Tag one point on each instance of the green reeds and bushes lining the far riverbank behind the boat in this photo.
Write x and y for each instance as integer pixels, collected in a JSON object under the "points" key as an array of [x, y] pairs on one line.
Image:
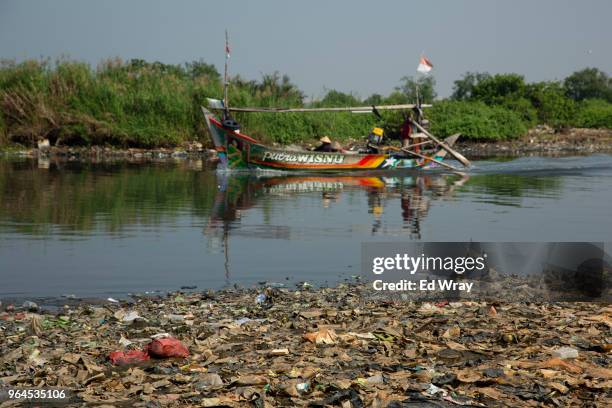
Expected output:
{"points": [[138, 103]]}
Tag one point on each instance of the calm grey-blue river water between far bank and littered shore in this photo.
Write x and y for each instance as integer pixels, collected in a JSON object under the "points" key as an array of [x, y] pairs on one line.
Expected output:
{"points": [[106, 230]]}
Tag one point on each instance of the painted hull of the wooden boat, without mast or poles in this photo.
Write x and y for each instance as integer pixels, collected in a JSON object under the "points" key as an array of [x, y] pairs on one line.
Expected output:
{"points": [[239, 151]]}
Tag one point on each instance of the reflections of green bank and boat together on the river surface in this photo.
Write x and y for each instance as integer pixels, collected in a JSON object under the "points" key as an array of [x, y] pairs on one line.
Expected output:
{"points": [[76, 199]]}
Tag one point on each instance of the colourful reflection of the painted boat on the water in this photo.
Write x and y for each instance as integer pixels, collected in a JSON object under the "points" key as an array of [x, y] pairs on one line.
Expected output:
{"points": [[239, 193]]}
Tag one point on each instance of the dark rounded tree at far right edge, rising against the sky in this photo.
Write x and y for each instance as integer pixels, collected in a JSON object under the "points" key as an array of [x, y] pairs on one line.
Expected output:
{"points": [[590, 83]]}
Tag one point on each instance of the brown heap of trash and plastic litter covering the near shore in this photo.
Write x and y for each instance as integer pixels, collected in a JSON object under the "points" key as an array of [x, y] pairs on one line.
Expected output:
{"points": [[329, 347]]}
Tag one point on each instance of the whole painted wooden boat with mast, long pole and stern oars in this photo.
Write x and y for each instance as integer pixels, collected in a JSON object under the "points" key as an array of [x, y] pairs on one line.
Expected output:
{"points": [[239, 151]]}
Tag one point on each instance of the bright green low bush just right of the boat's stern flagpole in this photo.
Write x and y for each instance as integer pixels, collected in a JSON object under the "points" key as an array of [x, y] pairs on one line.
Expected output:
{"points": [[475, 120]]}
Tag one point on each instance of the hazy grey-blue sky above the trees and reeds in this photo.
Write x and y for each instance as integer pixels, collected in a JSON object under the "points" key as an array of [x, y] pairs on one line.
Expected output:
{"points": [[360, 46]]}
